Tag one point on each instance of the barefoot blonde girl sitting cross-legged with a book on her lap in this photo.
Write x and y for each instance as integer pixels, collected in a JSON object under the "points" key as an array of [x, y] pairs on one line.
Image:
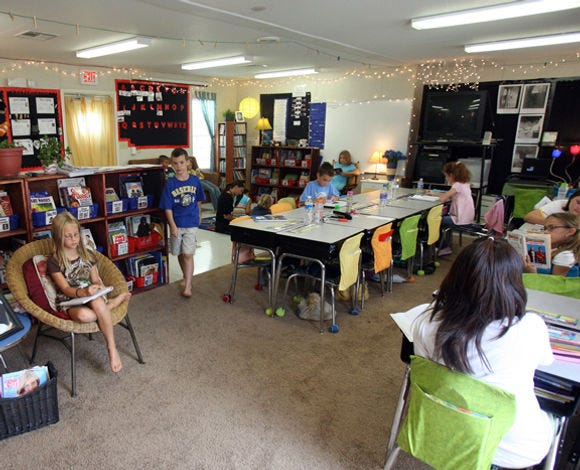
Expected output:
{"points": [[73, 269]]}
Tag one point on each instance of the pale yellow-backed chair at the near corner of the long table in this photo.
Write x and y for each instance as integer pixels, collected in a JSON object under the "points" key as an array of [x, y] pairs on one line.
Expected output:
{"points": [[349, 259]]}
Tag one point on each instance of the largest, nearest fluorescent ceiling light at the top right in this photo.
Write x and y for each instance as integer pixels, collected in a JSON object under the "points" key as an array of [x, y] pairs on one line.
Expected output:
{"points": [[493, 13]]}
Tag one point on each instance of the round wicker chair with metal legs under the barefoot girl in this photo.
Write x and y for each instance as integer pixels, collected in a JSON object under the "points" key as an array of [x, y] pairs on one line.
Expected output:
{"points": [[17, 284]]}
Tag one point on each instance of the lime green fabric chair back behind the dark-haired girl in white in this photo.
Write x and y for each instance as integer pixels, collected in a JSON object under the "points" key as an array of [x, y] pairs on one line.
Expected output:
{"points": [[454, 421]]}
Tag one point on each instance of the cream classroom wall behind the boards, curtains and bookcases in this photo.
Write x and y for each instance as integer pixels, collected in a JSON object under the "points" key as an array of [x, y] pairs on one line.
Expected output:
{"points": [[343, 93]]}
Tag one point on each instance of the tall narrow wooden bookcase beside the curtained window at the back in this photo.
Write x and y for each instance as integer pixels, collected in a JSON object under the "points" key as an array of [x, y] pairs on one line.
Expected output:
{"points": [[231, 151]]}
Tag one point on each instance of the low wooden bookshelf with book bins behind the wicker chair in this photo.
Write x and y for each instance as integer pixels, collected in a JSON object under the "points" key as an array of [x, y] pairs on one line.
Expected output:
{"points": [[97, 218]]}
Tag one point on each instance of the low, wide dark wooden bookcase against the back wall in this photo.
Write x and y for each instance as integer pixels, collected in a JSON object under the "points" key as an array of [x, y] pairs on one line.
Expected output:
{"points": [[283, 171]]}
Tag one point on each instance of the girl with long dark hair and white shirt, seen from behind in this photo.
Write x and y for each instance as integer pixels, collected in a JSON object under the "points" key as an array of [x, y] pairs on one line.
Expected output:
{"points": [[478, 325]]}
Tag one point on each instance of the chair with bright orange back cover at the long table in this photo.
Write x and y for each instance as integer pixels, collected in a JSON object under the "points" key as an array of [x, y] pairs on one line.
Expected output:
{"points": [[379, 260]]}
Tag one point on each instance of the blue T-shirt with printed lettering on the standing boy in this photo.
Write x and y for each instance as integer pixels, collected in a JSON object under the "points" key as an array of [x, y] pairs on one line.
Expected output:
{"points": [[182, 197]]}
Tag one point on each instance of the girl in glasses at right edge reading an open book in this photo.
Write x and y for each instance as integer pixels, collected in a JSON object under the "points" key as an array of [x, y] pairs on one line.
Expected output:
{"points": [[563, 228]]}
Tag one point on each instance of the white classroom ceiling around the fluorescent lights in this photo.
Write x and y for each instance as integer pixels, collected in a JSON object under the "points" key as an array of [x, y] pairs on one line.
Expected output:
{"points": [[332, 35]]}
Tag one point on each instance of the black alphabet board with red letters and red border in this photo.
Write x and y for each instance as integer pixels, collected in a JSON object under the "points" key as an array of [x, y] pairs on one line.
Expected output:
{"points": [[152, 114]]}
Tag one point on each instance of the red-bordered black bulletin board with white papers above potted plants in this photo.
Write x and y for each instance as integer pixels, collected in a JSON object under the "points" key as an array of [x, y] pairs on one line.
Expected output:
{"points": [[30, 114]]}
